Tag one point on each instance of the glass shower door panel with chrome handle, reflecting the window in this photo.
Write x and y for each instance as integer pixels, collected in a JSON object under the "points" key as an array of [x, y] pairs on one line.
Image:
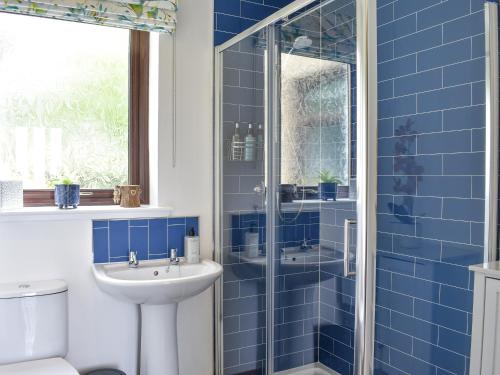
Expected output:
{"points": [[316, 238]]}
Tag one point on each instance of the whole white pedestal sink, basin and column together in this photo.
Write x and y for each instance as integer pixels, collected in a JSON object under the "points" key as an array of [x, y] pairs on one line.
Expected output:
{"points": [[157, 287]]}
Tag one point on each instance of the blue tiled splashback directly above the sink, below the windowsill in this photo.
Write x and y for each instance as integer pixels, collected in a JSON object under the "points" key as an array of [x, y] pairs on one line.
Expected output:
{"points": [[151, 238]]}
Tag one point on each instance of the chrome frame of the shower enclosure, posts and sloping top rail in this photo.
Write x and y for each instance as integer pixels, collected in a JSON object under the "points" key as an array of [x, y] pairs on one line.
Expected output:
{"points": [[366, 71]]}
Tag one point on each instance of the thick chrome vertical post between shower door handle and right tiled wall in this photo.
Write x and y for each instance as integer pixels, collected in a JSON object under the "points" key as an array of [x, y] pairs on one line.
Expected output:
{"points": [[366, 70]]}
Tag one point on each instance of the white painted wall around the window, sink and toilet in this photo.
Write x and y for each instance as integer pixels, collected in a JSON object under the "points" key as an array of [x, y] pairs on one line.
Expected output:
{"points": [[103, 332]]}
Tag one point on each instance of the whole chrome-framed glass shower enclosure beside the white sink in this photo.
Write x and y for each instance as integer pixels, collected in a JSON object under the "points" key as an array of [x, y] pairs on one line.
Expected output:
{"points": [[295, 192]]}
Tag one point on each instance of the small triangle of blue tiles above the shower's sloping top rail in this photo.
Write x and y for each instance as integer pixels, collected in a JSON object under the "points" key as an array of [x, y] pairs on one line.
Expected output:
{"points": [[234, 16]]}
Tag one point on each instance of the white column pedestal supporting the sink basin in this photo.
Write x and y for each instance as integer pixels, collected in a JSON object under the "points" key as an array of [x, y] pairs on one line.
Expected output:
{"points": [[159, 340]]}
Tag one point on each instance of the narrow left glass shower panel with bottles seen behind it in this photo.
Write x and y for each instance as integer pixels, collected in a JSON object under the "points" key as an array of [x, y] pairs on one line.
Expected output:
{"points": [[243, 207]]}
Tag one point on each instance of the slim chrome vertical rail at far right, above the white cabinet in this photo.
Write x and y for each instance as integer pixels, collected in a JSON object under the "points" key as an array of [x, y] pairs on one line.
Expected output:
{"points": [[491, 144]]}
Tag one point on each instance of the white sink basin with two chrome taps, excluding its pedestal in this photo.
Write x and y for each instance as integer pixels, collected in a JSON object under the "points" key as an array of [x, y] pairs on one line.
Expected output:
{"points": [[156, 282]]}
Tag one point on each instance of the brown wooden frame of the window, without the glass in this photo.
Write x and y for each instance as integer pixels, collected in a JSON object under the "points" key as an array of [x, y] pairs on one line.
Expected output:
{"points": [[138, 148]]}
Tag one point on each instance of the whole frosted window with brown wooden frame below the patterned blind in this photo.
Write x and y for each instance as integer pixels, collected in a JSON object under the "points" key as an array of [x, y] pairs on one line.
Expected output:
{"points": [[73, 103]]}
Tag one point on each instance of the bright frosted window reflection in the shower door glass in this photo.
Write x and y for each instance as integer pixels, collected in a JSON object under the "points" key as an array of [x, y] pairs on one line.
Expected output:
{"points": [[315, 119]]}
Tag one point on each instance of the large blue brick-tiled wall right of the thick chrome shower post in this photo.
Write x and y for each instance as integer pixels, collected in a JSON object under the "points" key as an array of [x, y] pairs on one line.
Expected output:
{"points": [[430, 184]]}
